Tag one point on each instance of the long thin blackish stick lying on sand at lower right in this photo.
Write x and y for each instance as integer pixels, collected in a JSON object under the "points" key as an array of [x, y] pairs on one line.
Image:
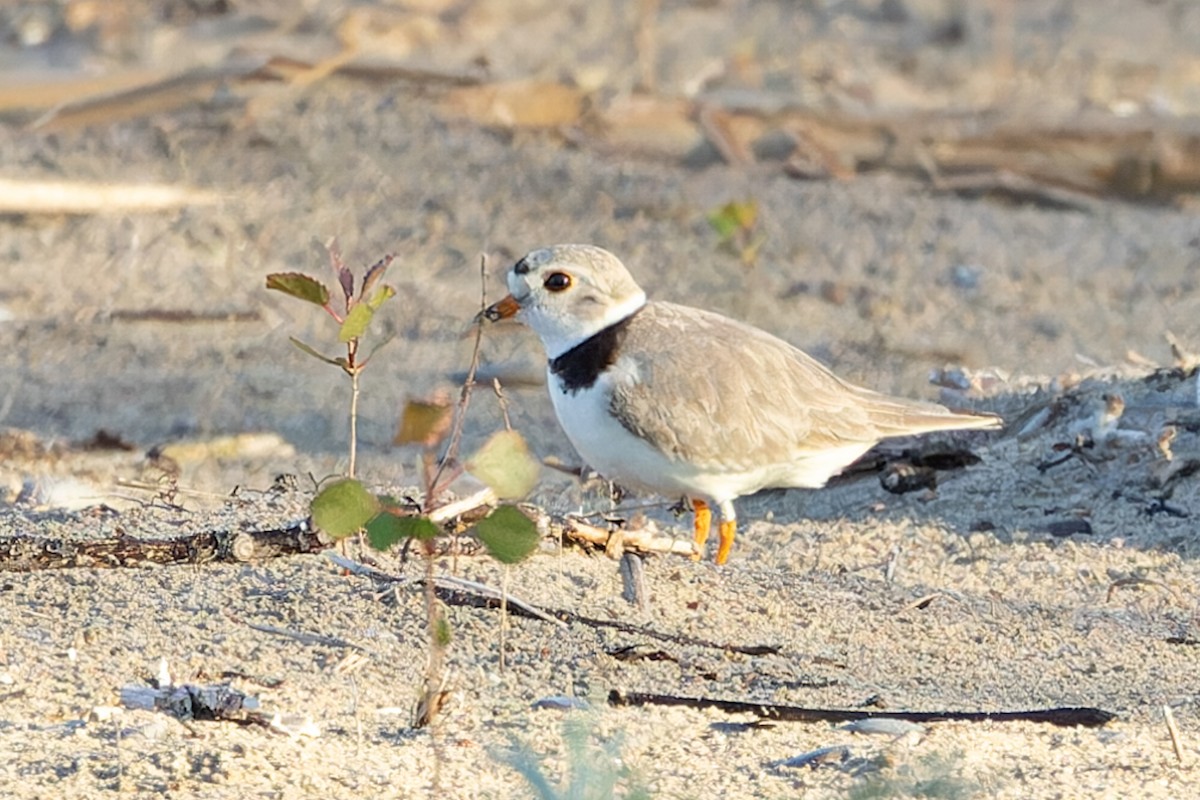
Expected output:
{"points": [[1070, 717]]}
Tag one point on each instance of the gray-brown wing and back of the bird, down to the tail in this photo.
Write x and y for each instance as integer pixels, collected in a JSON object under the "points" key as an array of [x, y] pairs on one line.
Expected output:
{"points": [[716, 392]]}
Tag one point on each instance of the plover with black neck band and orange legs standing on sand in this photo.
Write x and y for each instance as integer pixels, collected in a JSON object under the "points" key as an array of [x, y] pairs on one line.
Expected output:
{"points": [[685, 402]]}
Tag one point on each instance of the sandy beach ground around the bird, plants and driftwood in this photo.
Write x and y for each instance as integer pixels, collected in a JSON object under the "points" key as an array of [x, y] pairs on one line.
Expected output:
{"points": [[879, 276]]}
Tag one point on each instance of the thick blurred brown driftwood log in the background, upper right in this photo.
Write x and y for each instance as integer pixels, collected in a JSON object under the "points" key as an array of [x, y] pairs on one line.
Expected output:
{"points": [[1055, 163]]}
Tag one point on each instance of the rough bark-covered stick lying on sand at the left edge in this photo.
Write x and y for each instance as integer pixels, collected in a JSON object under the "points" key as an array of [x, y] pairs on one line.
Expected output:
{"points": [[27, 554]]}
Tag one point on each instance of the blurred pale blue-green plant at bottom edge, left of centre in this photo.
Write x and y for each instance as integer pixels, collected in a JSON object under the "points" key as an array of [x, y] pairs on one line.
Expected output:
{"points": [[595, 772]]}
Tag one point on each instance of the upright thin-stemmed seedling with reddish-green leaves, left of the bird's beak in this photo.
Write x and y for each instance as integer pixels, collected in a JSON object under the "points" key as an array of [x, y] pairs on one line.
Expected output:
{"points": [[353, 320]]}
